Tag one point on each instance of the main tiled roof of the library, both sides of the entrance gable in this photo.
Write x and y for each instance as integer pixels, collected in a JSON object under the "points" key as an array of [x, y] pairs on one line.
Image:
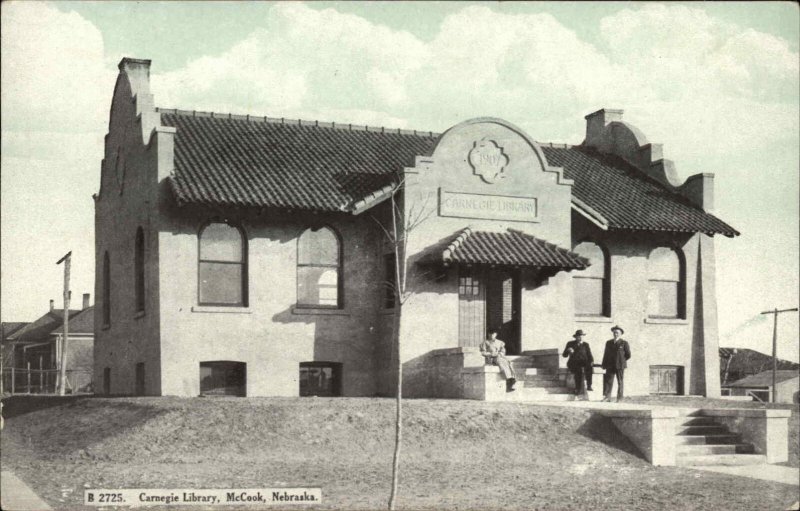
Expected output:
{"points": [[234, 160]]}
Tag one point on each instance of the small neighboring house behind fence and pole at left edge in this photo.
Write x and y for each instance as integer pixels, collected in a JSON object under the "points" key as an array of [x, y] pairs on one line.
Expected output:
{"points": [[37, 347]]}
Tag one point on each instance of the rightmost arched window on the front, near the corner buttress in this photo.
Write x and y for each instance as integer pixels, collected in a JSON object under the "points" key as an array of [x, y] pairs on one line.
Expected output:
{"points": [[666, 288]]}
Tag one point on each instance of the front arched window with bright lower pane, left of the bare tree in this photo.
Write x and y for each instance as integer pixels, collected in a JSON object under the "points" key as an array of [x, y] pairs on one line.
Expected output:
{"points": [[319, 269]]}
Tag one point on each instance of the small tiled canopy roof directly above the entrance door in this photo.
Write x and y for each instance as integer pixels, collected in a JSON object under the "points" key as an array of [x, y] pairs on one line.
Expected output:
{"points": [[511, 248]]}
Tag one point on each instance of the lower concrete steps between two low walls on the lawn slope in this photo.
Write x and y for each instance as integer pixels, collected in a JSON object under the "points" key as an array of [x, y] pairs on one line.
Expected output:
{"points": [[704, 441]]}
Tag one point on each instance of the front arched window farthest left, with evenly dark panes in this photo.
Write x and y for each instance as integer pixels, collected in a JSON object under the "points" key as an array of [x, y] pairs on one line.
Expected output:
{"points": [[222, 266]]}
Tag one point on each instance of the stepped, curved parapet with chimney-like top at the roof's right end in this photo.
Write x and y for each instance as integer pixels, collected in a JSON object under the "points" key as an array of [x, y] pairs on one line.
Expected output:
{"points": [[607, 133]]}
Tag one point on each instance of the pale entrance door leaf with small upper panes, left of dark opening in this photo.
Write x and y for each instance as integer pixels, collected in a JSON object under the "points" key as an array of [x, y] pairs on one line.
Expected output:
{"points": [[471, 307]]}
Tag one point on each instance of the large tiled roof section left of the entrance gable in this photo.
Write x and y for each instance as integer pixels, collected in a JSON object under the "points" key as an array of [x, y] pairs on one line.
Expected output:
{"points": [[241, 161]]}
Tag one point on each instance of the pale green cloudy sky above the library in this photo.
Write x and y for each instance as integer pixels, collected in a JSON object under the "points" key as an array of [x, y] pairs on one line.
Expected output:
{"points": [[716, 83]]}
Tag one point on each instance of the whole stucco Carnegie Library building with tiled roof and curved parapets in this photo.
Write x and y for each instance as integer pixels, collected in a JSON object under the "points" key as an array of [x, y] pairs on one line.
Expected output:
{"points": [[247, 255]]}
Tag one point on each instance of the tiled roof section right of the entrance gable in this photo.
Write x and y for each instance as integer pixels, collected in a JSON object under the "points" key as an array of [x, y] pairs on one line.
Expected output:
{"points": [[627, 198]]}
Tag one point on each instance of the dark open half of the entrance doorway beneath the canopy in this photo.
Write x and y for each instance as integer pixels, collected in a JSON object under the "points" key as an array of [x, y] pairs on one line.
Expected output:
{"points": [[502, 307]]}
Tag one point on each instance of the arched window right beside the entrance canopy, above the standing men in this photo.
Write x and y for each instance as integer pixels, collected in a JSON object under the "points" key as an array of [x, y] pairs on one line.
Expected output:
{"points": [[592, 286]]}
